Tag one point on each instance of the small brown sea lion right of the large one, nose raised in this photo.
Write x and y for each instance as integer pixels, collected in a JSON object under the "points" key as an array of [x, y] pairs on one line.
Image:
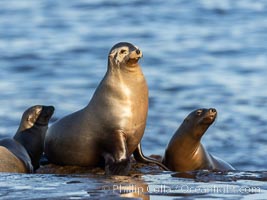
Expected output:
{"points": [[185, 151]]}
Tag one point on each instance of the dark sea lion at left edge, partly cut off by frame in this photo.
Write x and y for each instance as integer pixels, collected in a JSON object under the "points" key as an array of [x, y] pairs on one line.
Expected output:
{"points": [[22, 153]]}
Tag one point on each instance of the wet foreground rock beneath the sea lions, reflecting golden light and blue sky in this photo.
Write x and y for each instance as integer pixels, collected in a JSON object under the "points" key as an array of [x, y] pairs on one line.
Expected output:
{"points": [[143, 182]]}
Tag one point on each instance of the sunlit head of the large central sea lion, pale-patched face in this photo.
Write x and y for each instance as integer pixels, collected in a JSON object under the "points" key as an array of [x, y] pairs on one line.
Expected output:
{"points": [[124, 54]]}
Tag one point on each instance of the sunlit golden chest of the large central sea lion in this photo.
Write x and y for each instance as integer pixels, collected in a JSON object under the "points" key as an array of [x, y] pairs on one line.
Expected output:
{"points": [[121, 104]]}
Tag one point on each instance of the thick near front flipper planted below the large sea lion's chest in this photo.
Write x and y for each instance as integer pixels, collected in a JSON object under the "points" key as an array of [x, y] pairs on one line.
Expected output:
{"points": [[116, 158]]}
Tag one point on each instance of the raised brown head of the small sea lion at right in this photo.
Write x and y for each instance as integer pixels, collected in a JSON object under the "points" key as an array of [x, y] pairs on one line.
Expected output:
{"points": [[199, 121]]}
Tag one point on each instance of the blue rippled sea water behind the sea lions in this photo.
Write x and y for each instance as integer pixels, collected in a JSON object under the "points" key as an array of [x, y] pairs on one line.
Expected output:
{"points": [[204, 53]]}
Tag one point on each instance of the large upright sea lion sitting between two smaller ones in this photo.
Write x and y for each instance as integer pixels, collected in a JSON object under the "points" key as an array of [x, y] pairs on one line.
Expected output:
{"points": [[111, 126]]}
